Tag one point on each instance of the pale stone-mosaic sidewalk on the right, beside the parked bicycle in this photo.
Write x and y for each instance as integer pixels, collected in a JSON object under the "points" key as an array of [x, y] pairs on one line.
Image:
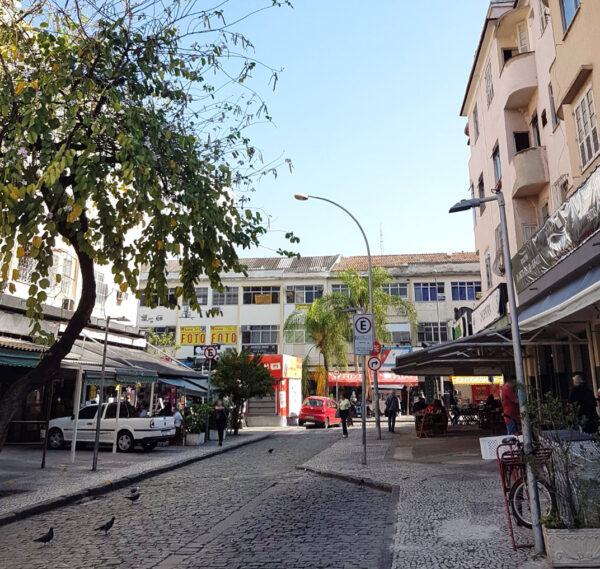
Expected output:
{"points": [[446, 501]]}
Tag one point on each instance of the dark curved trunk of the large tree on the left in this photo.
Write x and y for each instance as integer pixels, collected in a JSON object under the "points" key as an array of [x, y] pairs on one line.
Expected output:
{"points": [[49, 366]]}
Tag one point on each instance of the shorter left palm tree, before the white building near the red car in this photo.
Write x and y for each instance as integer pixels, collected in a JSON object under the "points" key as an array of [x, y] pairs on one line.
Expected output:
{"points": [[327, 327]]}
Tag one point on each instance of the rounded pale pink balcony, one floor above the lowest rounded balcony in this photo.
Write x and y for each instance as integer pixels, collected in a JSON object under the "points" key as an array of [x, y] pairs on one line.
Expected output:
{"points": [[518, 80]]}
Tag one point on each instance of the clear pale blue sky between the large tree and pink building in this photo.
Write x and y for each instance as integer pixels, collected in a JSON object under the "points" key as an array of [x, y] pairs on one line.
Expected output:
{"points": [[367, 108]]}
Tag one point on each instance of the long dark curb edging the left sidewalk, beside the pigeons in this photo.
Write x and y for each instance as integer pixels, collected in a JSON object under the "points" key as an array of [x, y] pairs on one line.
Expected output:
{"points": [[122, 482]]}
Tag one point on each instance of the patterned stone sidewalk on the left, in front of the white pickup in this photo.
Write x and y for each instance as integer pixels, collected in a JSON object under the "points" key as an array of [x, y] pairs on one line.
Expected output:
{"points": [[25, 489]]}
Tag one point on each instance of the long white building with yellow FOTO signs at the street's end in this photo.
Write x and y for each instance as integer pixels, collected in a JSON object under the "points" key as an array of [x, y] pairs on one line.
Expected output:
{"points": [[254, 308]]}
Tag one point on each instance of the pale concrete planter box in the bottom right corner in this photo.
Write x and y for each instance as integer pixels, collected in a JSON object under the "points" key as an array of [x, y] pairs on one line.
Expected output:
{"points": [[573, 547]]}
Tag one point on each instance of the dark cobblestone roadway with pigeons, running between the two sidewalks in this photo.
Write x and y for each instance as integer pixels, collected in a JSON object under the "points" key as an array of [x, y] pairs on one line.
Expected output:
{"points": [[248, 508]]}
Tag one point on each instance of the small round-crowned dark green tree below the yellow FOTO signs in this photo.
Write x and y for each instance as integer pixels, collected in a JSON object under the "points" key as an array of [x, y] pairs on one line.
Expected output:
{"points": [[241, 376]]}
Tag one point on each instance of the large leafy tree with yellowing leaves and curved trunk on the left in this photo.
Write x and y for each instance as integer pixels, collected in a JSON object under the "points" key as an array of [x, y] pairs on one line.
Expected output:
{"points": [[120, 135]]}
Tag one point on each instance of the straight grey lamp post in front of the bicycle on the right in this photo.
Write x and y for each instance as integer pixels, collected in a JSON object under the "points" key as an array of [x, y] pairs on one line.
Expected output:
{"points": [[534, 503]]}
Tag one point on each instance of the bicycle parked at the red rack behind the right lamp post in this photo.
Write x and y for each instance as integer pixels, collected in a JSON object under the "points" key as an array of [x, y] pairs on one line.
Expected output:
{"points": [[513, 475]]}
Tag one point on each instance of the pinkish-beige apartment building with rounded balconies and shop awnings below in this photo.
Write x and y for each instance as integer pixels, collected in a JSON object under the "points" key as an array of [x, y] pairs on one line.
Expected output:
{"points": [[532, 131]]}
